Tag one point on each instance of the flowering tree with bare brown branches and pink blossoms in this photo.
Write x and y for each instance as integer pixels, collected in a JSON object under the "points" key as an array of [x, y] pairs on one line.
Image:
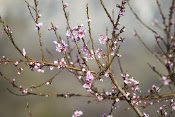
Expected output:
{"points": [[78, 51]]}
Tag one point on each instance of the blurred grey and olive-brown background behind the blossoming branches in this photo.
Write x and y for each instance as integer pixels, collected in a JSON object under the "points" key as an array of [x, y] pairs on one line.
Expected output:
{"points": [[134, 56]]}
